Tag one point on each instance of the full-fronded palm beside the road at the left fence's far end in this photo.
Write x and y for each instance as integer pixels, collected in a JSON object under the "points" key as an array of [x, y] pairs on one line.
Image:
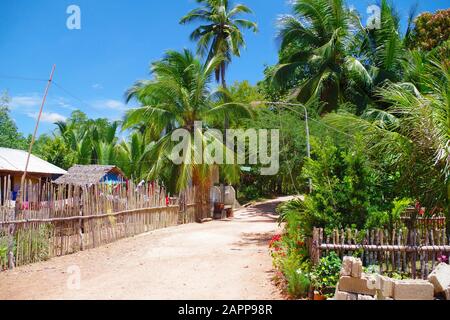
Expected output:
{"points": [[178, 97]]}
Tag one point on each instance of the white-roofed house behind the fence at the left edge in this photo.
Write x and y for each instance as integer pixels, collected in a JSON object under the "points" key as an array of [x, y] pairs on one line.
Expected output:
{"points": [[12, 165]]}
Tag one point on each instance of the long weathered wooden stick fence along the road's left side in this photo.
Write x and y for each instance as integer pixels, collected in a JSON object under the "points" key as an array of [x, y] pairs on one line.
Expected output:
{"points": [[59, 220]]}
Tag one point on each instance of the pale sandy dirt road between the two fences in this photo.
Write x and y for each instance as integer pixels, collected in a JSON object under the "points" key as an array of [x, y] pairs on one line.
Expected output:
{"points": [[215, 260]]}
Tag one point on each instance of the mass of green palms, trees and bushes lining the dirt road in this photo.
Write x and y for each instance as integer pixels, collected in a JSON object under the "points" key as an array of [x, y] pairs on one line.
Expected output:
{"points": [[379, 106]]}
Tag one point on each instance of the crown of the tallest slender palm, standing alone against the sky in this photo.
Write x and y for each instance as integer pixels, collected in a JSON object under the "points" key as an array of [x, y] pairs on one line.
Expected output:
{"points": [[221, 34]]}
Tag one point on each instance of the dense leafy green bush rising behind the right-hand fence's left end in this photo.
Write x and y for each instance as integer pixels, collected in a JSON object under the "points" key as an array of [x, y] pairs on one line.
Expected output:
{"points": [[344, 186]]}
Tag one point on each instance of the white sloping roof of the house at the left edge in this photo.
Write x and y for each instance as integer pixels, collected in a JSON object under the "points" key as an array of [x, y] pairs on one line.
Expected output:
{"points": [[15, 161]]}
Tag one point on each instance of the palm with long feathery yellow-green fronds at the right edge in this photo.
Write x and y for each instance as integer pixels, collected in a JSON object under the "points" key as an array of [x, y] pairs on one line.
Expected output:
{"points": [[412, 134]]}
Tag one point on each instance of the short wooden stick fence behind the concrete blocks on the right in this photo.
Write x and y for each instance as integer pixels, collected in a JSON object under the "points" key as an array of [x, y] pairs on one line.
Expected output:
{"points": [[413, 252]]}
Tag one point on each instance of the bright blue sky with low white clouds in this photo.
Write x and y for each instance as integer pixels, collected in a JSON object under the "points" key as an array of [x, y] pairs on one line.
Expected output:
{"points": [[117, 41]]}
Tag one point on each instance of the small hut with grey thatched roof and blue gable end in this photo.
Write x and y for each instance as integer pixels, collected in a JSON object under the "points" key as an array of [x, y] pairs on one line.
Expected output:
{"points": [[91, 174]]}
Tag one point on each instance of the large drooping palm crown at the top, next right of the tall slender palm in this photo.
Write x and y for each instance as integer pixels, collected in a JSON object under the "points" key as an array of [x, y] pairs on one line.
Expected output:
{"points": [[316, 39]]}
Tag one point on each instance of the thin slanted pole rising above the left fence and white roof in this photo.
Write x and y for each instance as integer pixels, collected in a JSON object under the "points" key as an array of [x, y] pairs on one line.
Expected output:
{"points": [[18, 206]]}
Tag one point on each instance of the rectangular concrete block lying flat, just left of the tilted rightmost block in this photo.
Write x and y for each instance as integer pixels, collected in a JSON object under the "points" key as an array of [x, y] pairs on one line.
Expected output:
{"points": [[413, 290]]}
